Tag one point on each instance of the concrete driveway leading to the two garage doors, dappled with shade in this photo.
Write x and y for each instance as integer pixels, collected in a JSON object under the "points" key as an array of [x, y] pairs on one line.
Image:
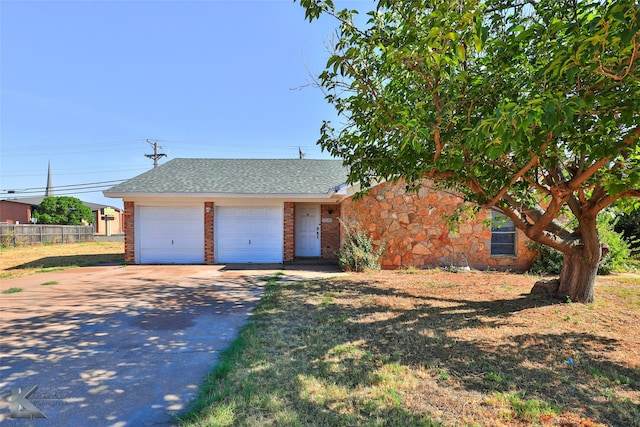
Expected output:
{"points": [[121, 346]]}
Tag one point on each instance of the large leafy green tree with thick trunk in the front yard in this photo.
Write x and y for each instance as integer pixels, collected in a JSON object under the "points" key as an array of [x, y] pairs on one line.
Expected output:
{"points": [[529, 108]]}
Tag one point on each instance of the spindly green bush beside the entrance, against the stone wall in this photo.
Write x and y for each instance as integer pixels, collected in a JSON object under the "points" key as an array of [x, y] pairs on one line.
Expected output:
{"points": [[357, 253]]}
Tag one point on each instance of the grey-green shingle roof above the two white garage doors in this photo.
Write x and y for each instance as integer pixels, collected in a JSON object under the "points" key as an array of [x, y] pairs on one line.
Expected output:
{"points": [[238, 176]]}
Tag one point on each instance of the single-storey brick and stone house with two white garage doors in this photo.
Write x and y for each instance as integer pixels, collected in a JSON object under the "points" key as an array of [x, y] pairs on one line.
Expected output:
{"points": [[217, 211]]}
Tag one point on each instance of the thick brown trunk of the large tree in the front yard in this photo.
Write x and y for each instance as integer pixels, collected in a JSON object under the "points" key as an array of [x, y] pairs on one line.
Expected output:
{"points": [[578, 275]]}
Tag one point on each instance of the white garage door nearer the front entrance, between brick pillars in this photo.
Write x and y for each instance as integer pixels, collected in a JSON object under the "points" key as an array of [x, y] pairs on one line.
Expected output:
{"points": [[249, 234]]}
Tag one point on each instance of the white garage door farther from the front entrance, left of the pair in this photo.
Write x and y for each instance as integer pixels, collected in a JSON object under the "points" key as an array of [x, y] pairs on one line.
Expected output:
{"points": [[170, 235]]}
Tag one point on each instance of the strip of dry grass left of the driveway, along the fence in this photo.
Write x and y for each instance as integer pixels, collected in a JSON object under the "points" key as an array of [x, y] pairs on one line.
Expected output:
{"points": [[24, 260]]}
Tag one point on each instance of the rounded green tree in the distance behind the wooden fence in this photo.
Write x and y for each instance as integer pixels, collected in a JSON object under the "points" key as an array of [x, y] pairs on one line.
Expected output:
{"points": [[63, 210]]}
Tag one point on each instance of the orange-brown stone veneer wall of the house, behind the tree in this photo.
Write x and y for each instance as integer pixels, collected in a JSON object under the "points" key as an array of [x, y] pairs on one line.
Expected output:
{"points": [[415, 234]]}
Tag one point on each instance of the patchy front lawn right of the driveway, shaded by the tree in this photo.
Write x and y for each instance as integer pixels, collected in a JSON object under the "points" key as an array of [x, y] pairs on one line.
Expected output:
{"points": [[430, 348]]}
